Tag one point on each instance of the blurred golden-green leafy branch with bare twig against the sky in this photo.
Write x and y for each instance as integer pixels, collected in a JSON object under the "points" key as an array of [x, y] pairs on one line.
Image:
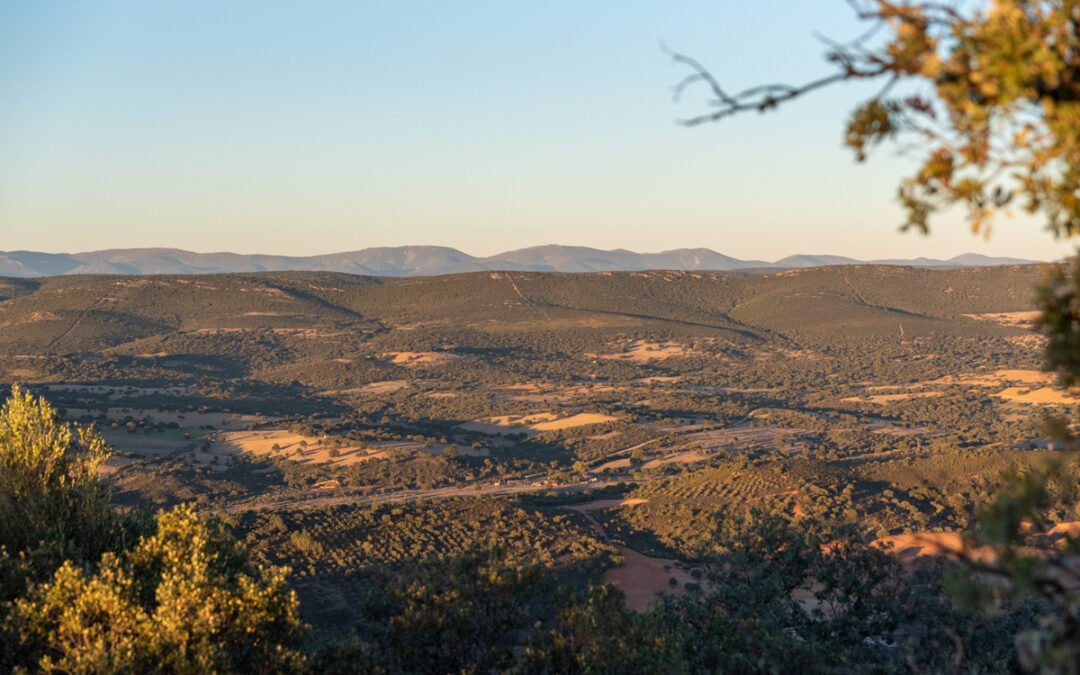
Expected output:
{"points": [[998, 124]]}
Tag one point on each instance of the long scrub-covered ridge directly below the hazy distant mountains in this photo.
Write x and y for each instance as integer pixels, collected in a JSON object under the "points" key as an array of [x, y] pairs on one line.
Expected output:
{"points": [[74, 315]]}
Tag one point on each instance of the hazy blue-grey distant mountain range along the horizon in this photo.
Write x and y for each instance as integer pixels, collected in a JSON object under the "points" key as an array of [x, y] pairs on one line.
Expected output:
{"points": [[430, 261]]}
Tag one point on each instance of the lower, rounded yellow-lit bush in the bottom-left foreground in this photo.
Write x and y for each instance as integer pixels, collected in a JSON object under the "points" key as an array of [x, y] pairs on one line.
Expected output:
{"points": [[185, 600]]}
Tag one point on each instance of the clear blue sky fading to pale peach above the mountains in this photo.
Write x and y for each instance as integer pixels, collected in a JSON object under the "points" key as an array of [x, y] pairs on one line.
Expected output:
{"points": [[305, 128]]}
